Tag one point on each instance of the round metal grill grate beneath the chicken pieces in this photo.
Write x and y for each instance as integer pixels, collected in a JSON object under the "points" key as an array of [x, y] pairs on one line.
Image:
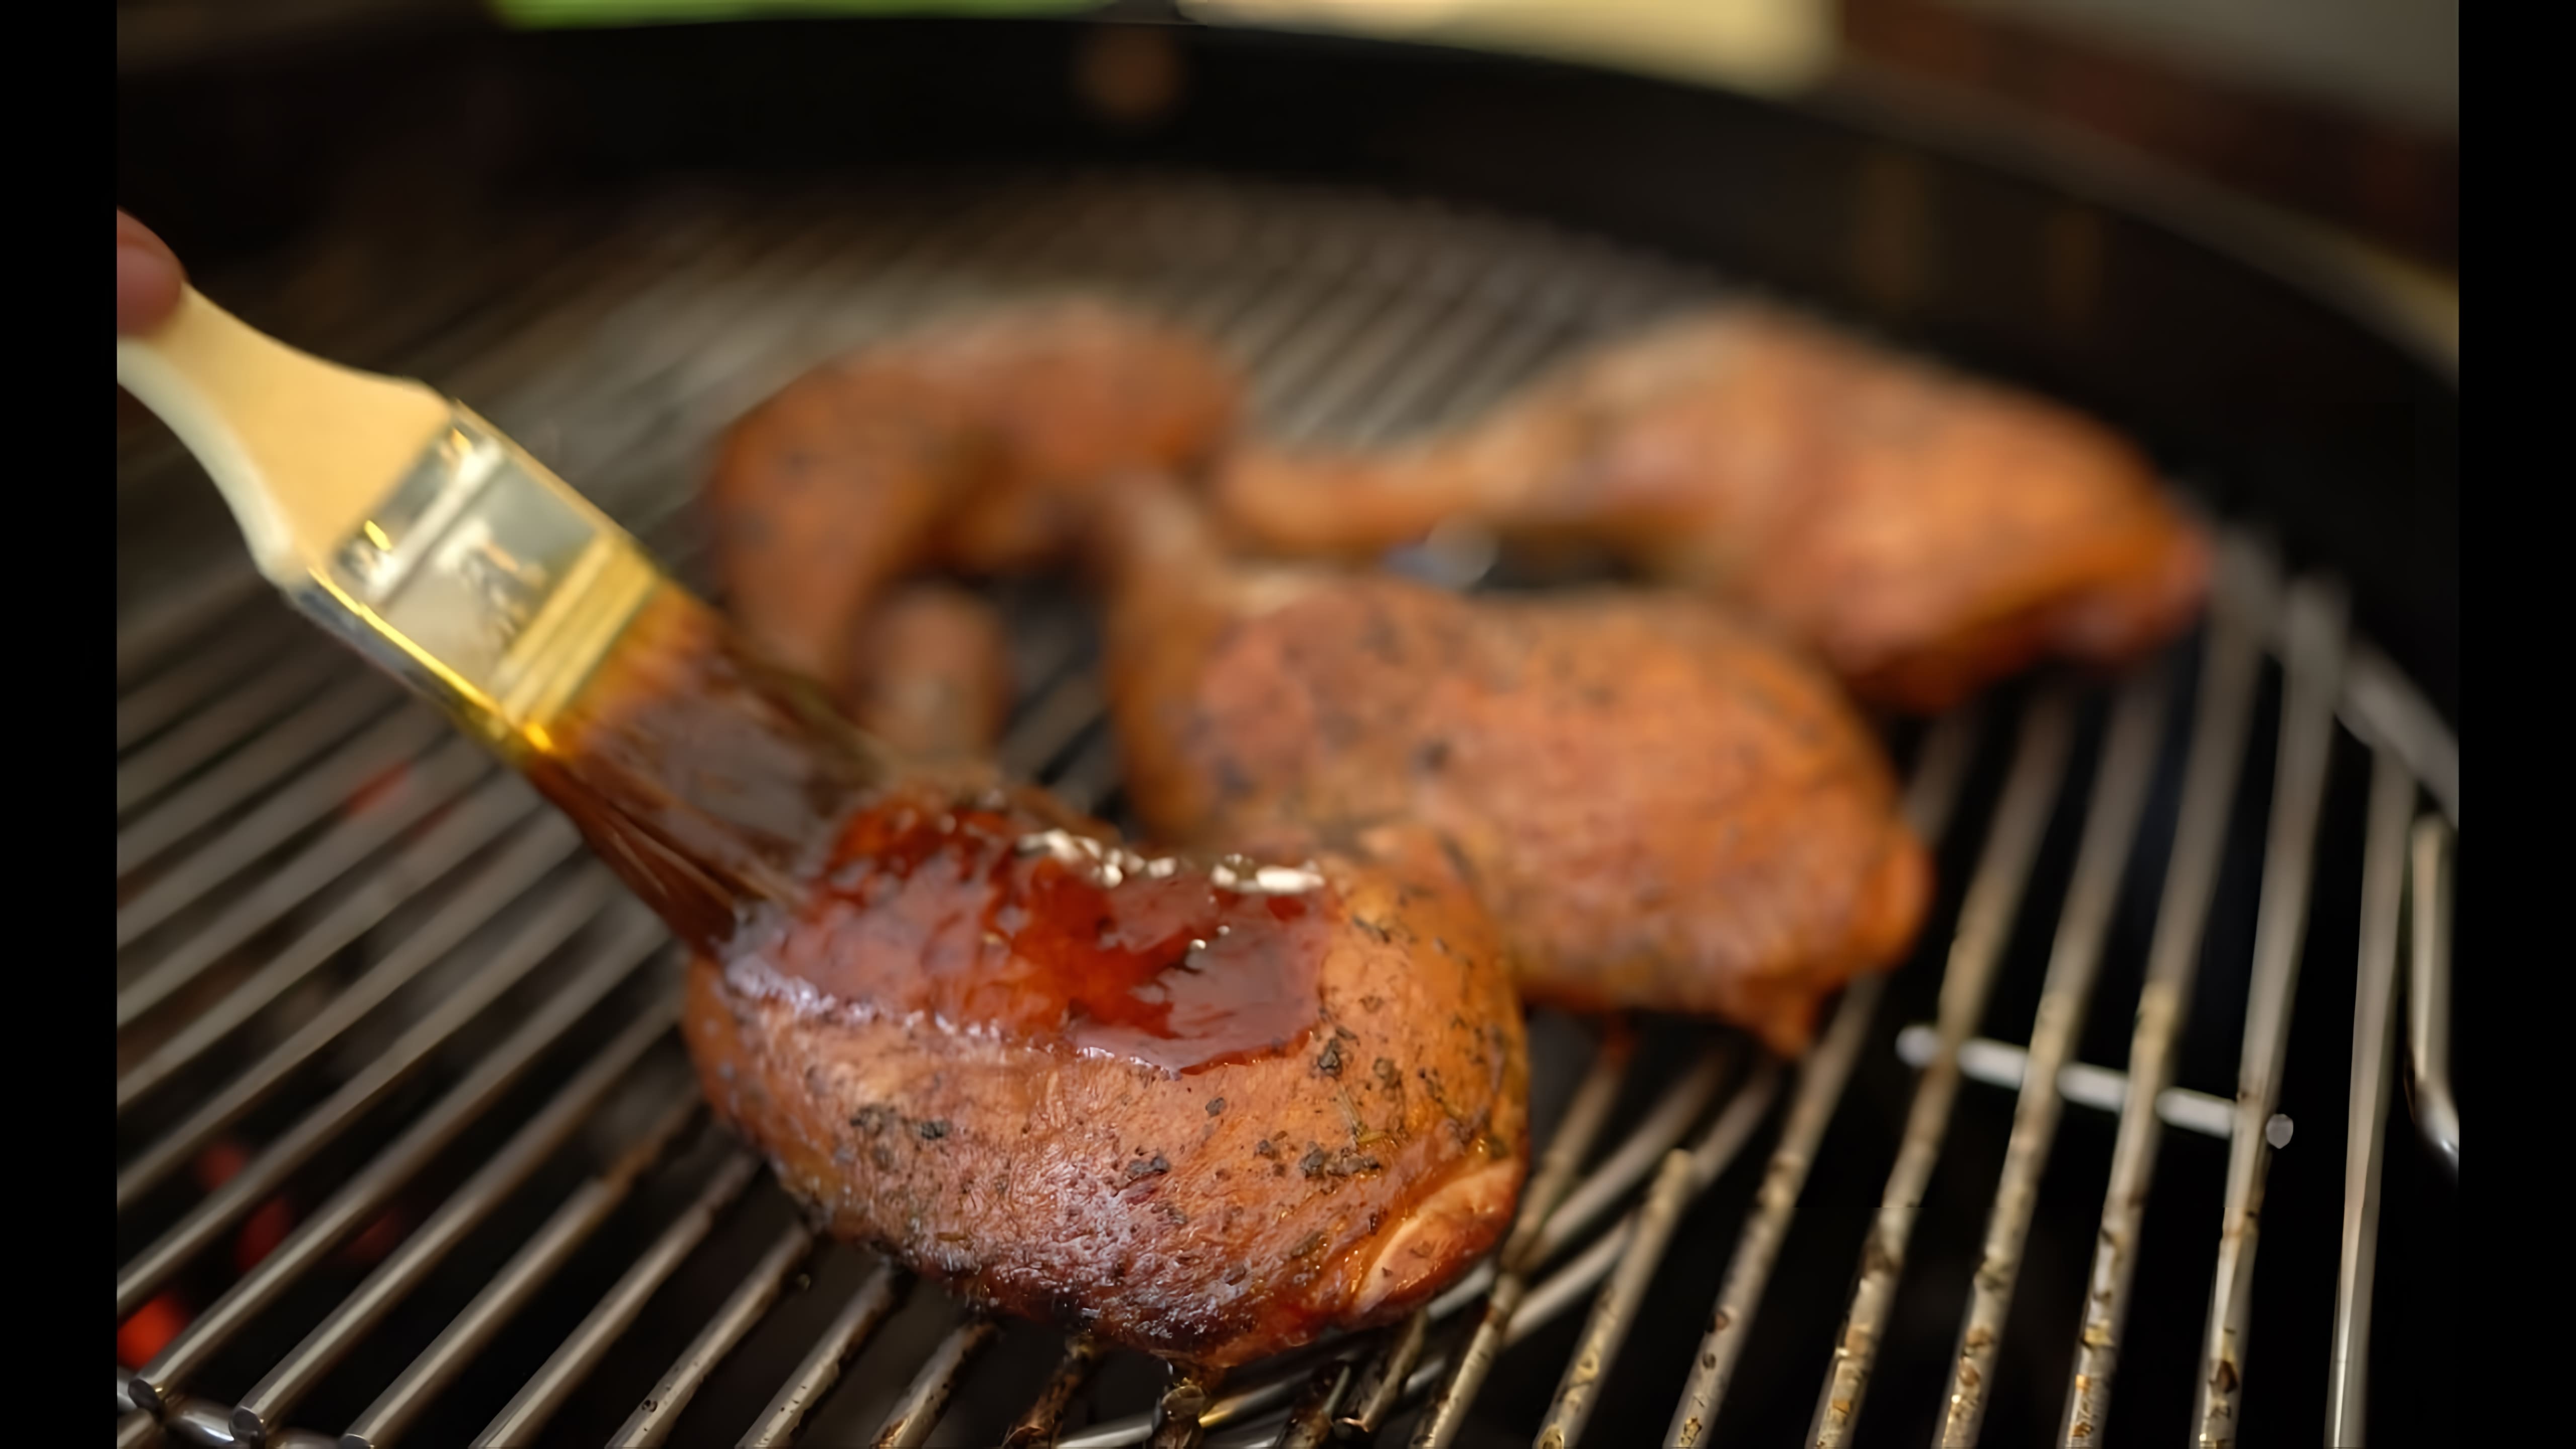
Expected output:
{"points": [[406, 1141]]}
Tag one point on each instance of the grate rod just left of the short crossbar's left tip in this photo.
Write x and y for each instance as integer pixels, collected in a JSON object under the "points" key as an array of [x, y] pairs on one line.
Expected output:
{"points": [[1828, 1069]]}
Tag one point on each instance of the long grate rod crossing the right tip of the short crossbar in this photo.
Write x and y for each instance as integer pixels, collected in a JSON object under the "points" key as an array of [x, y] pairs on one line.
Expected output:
{"points": [[2307, 746]]}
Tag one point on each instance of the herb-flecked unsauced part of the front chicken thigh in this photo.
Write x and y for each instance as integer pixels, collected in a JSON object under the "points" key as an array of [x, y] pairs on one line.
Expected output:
{"points": [[1212, 1216]]}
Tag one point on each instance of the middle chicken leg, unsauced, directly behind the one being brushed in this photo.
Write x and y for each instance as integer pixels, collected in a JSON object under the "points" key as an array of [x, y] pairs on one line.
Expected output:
{"points": [[1658, 803]]}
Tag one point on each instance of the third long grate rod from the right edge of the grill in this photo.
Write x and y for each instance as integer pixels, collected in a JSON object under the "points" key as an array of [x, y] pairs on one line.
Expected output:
{"points": [[2222, 728]]}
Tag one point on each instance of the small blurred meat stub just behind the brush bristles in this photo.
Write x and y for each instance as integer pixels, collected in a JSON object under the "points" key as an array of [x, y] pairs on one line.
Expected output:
{"points": [[931, 674]]}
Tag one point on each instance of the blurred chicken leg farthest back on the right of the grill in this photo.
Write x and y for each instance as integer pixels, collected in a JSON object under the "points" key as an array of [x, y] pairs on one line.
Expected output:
{"points": [[1923, 532]]}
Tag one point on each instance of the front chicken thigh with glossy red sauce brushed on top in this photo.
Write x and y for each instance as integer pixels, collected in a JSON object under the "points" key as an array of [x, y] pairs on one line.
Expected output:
{"points": [[1197, 1110]]}
